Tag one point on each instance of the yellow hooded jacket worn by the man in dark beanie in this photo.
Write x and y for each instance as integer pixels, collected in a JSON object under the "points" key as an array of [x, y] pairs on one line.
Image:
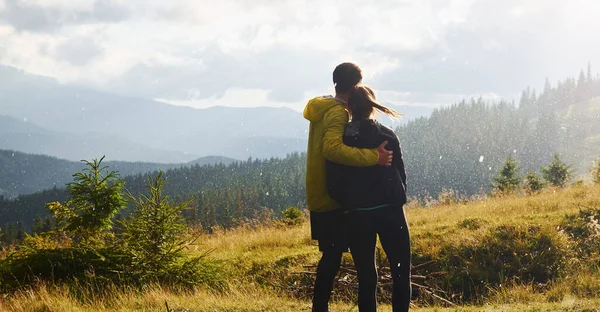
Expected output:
{"points": [[328, 119]]}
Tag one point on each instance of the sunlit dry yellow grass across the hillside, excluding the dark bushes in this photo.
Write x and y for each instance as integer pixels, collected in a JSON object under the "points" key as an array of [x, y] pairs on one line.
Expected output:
{"points": [[257, 259]]}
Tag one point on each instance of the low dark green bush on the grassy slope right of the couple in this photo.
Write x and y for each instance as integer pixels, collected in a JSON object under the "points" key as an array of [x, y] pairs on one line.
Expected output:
{"points": [[505, 253]]}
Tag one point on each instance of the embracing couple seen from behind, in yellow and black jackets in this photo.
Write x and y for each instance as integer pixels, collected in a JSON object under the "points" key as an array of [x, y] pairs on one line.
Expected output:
{"points": [[355, 190]]}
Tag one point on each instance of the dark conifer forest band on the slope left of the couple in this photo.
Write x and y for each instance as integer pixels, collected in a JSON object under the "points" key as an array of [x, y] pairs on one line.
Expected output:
{"points": [[220, 194]]}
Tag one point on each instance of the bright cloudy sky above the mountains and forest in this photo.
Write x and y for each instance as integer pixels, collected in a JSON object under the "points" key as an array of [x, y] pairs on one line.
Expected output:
{"points": [[281, 53]]}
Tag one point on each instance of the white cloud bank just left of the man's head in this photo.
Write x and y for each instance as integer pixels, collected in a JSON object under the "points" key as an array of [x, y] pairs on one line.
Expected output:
{"points": [[212, 72]]}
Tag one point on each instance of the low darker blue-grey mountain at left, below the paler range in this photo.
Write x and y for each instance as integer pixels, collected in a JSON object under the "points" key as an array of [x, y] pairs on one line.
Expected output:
{"points": [[22, 173]]}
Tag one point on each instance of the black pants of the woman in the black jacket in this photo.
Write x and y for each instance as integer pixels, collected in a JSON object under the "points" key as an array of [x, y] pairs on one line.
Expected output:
{"points": [[390, 224]]}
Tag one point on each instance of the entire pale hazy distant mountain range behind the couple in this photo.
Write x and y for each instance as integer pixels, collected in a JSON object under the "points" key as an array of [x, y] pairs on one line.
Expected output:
{"points": [[40, 115]]}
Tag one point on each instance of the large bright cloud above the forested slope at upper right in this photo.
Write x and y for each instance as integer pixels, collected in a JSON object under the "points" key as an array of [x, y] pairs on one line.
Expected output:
{"points": [[503, 49]]}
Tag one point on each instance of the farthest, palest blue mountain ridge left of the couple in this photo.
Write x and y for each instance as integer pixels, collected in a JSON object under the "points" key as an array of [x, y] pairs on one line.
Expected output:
{"points": [[213, 131]]}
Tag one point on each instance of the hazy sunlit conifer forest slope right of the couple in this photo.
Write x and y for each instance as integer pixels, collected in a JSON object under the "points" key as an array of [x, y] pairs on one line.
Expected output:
{"points": [[462, 146]]}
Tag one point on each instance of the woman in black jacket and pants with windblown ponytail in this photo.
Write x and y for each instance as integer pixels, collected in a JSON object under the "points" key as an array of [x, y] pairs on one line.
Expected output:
{"points": [[373, 199]]}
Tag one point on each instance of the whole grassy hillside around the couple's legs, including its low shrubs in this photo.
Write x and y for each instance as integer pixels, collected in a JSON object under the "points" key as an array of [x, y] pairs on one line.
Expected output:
{"points": [[516, 253]]}
